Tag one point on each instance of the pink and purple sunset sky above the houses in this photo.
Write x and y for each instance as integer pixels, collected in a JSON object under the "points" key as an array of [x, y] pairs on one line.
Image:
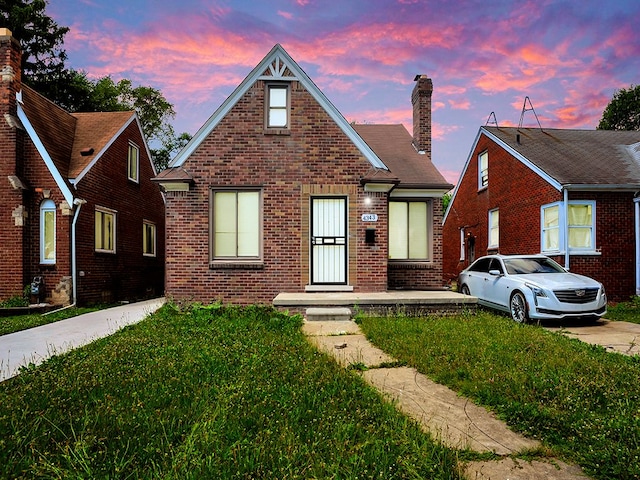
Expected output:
{"points": [[568, 57]]}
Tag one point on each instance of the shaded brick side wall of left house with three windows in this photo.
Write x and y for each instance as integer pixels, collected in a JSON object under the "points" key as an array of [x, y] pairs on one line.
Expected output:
{"points": [[127, 274]]}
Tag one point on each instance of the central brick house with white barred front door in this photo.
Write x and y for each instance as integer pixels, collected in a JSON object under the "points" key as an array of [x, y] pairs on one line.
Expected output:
{"points": [[277, 192]]}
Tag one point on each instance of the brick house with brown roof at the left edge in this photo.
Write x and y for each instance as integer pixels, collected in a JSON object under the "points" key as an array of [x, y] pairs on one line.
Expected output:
{"points": [[77, 206]]}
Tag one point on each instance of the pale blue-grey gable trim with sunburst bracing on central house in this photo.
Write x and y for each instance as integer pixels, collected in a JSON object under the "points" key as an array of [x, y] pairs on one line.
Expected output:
{"points": [[277, 65]]}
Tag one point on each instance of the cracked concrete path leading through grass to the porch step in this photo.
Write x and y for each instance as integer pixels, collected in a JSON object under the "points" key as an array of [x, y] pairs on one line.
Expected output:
{"points": [[454, 420]]}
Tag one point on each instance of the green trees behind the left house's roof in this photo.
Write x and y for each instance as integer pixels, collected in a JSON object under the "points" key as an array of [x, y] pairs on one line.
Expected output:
{"points": [[43, 68]]}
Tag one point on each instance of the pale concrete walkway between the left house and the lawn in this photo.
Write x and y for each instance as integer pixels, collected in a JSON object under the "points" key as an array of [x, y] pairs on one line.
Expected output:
{"points": [[35, 345]]}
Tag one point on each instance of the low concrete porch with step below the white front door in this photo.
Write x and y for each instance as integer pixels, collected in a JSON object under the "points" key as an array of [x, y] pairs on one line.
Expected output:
{"points": [[413, 302]]}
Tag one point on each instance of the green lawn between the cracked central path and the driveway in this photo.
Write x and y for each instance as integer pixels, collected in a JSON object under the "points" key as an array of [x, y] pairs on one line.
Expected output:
{"points": [[580, 401]]}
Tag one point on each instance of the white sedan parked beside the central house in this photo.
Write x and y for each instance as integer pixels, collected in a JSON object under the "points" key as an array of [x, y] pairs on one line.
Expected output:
{"points": [[532, 287]]}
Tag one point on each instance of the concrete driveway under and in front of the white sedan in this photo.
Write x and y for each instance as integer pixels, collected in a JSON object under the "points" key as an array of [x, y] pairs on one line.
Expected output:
{"points": [[621, 337]]}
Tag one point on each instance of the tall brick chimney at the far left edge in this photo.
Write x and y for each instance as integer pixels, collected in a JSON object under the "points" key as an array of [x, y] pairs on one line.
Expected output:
{"points": [[12, 194]]}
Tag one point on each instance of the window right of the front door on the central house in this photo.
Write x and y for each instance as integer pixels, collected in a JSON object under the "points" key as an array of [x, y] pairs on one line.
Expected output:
{"points": [[409, 230]]}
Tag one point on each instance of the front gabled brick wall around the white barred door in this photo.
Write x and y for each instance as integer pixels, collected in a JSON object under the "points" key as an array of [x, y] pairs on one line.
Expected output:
{"points": [[315, 158]]}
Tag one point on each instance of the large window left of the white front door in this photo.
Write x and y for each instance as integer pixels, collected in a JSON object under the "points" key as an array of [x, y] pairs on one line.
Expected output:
{"points": [[236, 225]]}
